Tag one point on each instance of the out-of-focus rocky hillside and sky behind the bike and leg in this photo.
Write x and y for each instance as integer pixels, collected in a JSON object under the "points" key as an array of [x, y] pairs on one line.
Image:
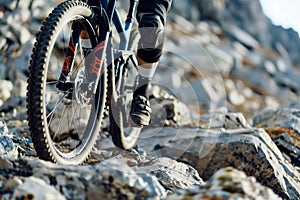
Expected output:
{"points": [[218, 53]]}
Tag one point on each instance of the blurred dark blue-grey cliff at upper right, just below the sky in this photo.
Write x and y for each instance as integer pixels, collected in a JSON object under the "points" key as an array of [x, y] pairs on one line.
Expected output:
{"points": [[253, 24]]}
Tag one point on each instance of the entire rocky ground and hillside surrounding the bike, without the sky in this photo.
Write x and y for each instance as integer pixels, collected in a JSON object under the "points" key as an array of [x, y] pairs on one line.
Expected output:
{"points": [[225, 124]]}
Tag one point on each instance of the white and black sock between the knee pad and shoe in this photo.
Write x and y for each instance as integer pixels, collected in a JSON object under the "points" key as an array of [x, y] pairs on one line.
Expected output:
{"points": [[145, 77]]}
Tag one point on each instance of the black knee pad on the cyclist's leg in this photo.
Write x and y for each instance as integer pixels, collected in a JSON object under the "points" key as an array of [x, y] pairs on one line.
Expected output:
{"points": [[152, 37]]}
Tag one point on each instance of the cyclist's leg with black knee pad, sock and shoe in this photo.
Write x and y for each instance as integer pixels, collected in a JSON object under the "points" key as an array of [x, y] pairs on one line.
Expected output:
{"points": [[151, 15]]}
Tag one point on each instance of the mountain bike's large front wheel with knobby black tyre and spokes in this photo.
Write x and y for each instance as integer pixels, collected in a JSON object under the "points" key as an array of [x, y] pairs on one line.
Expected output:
{"points": [[65, 121]]}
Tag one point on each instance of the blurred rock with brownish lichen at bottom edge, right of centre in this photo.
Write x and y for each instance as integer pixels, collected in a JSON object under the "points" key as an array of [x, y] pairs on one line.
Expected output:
{"points": [[227, 183]]}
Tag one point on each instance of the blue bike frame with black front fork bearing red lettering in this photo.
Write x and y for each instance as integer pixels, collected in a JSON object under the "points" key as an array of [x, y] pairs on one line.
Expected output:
{"points": [[104, 47]]}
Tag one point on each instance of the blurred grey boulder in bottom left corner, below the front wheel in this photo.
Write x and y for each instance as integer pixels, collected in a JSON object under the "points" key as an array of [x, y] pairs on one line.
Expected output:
{"points": [[112, 180]]}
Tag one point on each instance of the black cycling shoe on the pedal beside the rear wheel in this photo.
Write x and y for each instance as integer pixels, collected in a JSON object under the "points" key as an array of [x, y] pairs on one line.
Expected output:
{"points": [[140, 111]]}
